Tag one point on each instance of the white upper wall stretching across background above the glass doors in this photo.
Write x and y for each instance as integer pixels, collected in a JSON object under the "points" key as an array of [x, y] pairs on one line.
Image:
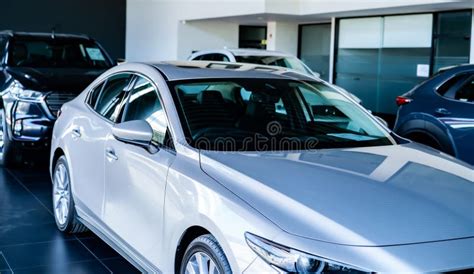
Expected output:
{"points": [[155, 29]]}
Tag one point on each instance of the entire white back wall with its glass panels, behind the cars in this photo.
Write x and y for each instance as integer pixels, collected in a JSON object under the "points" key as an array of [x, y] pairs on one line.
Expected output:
{"points": [[387, 48]]}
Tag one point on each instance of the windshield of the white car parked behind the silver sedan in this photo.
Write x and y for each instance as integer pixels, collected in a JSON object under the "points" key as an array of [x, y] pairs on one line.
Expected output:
{"points": [[279, 61]]}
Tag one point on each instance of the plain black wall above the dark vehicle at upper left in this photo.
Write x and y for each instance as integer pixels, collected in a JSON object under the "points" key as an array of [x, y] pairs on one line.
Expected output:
{"points": [[103, 20]]}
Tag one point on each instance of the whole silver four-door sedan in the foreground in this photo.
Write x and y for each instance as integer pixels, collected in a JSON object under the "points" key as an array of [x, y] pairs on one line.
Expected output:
{"points": [[222, 168]]}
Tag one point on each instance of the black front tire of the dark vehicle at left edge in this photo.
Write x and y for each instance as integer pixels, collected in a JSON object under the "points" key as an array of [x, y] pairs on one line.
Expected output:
{"points": [[11, 153]]}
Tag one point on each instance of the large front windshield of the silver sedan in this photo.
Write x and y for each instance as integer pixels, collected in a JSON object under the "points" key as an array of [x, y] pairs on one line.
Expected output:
{"points": [[246, 114]]}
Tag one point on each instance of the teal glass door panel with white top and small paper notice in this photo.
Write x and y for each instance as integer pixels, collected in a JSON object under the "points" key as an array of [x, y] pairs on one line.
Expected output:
{"points": [[379, 58]]}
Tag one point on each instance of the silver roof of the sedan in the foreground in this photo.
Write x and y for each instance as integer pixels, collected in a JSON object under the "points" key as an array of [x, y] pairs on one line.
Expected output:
{"points": [[184, 70]]}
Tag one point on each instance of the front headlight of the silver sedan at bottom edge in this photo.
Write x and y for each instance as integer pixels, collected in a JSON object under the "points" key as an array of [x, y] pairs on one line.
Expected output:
{"points": [[293, 261]]}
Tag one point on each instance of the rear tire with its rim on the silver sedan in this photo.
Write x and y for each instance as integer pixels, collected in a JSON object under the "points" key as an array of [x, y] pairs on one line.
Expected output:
{"points": [[64, 208]]}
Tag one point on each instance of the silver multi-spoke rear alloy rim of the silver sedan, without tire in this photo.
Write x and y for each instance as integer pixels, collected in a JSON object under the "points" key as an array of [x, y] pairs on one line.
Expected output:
{"points": [[61, 194]]}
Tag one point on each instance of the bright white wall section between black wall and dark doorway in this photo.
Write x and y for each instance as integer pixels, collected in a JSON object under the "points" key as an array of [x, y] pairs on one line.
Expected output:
{"points": [[155, 32]]}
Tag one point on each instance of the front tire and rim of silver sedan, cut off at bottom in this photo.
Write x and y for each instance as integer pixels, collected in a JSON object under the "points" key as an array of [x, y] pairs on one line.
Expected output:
{"points": [[205, 248]]}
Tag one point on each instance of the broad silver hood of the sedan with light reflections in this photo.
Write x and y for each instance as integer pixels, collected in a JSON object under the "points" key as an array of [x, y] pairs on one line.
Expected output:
{"points": [[373, 196]]}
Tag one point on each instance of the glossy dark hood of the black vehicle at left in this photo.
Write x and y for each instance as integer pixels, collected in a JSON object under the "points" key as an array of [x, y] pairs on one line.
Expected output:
{"points": [[54, 79]]}
